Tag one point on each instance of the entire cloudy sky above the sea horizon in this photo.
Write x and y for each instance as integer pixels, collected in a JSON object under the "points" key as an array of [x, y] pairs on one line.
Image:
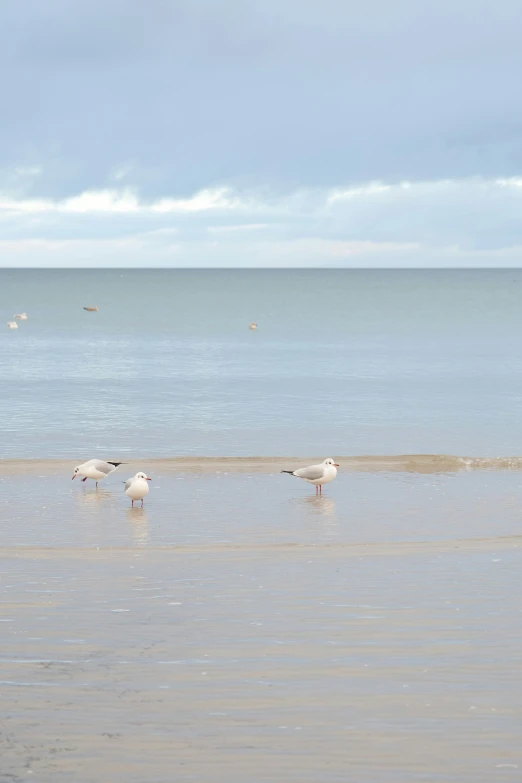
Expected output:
{"points": [[282, 133]]}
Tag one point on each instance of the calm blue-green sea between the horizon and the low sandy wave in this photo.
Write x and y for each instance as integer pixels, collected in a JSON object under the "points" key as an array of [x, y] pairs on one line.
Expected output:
{"points": [[343, 362]]}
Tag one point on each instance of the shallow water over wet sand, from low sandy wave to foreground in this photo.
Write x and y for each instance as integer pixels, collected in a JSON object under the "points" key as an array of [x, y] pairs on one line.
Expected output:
{"points": [[238, 629]]}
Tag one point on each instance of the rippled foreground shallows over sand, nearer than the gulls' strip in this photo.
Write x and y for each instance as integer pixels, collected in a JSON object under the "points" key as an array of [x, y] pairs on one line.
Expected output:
{"points": [[232, 666]]}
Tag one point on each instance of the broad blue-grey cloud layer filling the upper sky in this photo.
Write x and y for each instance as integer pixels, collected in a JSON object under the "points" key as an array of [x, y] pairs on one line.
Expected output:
{"points": [[198, 94]]}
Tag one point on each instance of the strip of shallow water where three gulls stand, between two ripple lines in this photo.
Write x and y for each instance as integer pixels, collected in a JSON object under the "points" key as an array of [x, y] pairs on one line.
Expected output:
{"points": [[188, 508]]}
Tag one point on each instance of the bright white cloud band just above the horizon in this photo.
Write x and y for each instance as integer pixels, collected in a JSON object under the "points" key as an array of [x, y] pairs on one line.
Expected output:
{"points": [[424, 223]]}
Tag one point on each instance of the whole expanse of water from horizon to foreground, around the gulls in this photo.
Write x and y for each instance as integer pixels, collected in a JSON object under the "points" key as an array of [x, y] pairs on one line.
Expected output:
{"points": [[238, 628]]}
